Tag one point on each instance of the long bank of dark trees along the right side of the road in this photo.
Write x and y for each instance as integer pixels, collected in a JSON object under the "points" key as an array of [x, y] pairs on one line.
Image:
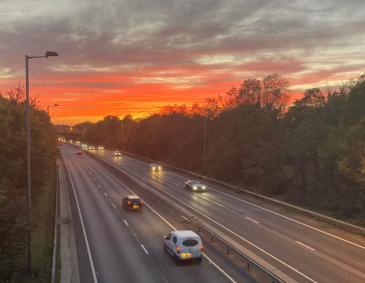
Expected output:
{"points": [[309, 152]]}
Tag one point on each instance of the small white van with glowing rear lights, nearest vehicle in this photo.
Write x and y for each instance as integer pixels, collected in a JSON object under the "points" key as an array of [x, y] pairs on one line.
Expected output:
{"points": [[184, 245]]}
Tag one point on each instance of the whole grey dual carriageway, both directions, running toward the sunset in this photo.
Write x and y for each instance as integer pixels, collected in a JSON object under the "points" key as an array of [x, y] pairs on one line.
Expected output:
{"points": [[118, 246]]}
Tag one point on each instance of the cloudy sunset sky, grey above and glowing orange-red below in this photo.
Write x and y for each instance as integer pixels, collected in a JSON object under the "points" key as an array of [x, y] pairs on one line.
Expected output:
{"points": [[121, 57]]}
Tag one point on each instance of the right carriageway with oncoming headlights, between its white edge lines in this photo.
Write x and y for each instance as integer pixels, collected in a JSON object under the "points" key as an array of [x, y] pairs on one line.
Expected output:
{"points": [[331, 260]]}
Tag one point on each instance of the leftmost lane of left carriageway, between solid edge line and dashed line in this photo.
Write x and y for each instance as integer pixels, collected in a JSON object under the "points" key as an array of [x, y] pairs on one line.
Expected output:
{"points": [[115, 252]]}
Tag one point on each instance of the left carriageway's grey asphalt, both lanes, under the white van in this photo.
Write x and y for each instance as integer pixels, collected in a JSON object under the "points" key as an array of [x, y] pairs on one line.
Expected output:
{"points": [[126, 245]]}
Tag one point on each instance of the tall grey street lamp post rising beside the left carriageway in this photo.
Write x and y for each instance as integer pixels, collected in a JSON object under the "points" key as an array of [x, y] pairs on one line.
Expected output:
{"points": [[27, 125]]}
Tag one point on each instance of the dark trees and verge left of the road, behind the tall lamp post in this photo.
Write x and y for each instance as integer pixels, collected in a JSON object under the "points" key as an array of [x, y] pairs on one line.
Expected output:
{"points": [[13, 190]]}
